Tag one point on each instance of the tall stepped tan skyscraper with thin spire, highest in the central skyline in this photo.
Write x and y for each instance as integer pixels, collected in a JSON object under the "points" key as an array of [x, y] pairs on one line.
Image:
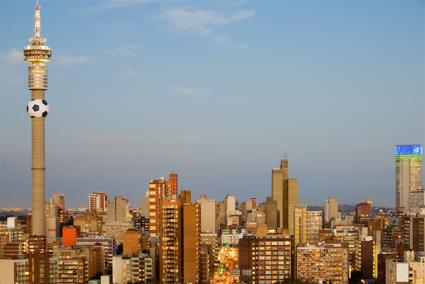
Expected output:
{"points": [[285, 192]]}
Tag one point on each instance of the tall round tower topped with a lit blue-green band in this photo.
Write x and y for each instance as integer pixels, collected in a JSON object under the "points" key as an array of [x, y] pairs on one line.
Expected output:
{"points": [[409, 189]]}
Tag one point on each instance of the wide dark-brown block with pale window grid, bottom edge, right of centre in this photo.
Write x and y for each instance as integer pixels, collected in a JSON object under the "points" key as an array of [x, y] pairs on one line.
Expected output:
{"points": [[265, 258]]}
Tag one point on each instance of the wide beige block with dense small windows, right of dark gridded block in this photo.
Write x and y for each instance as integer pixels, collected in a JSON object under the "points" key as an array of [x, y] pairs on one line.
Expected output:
{"points": [[324, 263]]}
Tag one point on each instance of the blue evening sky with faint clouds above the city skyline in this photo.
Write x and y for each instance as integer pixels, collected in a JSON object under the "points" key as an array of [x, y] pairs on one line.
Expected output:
{"points": [[217, 91]]}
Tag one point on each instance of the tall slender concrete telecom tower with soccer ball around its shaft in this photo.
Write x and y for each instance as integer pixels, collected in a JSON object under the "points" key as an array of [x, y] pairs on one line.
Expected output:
{"points": [[38, 54]]}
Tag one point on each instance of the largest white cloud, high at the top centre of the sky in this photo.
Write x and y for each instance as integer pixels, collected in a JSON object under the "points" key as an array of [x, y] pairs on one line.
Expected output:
{"points": [[202, 22]]}
